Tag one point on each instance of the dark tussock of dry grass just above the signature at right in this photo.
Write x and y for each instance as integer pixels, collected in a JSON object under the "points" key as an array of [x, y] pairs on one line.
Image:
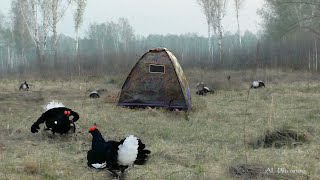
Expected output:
{"points": [[280, 138]]}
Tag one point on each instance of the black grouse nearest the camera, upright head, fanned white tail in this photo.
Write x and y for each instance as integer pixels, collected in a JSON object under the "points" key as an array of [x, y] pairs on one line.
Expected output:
{"points": [[114, 155]]}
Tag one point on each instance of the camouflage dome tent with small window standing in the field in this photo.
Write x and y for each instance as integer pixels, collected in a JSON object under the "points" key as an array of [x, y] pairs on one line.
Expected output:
{"points": [[156, 80]]}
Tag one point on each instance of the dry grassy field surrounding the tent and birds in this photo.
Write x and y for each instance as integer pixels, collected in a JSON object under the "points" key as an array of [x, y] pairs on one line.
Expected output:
{"points": [[212, 141]]}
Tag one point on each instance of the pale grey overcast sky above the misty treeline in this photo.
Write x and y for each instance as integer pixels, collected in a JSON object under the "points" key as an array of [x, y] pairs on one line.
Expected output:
{"points": [[157, 16]]}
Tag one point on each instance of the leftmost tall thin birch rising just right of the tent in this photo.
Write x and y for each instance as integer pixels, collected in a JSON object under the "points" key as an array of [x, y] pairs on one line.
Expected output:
{"points": [[206, 6]]}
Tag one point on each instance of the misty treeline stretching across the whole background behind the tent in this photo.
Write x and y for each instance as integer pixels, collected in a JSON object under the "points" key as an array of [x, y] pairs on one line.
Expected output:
{"points": [[113, 46]]}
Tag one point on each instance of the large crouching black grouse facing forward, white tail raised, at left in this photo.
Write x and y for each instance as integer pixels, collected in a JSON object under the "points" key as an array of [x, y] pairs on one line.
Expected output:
{"points": [[57, 119]]}
